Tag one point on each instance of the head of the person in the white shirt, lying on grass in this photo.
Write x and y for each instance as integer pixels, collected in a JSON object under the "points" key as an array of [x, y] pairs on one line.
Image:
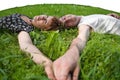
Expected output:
{"points": [[69, 21]]}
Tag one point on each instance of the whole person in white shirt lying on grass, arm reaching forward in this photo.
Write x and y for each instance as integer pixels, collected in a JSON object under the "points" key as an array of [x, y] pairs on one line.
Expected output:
{"points": [[67, 66]]}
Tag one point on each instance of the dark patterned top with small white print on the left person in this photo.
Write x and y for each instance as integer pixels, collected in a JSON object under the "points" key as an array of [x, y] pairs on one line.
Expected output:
{"points": [[14, 23]]}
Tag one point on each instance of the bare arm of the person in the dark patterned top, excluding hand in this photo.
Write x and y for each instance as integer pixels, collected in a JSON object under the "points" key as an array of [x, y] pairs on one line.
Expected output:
{"points": [[27, 46]]}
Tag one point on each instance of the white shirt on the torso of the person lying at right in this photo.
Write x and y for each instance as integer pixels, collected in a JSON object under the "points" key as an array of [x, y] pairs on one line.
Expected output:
{"points": [[102, 23]]}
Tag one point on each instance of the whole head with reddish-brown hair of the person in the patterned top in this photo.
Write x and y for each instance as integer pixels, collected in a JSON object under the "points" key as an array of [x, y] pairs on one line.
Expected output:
{"points": [[45, 22]]}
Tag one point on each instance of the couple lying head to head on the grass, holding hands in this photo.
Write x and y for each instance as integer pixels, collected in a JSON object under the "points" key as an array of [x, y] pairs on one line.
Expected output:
{"points": [[65, 67]]}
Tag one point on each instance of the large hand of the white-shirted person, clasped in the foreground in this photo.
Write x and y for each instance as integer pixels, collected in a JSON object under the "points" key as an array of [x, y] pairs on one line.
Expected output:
{"points": [[66, 67]]}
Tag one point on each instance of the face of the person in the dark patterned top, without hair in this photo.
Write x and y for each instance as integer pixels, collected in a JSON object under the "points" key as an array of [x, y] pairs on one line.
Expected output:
{"points": [[42, 21]]}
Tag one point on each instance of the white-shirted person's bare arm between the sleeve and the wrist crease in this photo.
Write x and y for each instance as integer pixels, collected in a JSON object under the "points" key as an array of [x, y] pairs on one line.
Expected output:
{"points": [[80, 41]]}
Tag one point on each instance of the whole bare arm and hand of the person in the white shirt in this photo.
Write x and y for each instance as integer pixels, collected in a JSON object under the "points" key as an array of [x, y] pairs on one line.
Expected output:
{"points": [[67, 67]]}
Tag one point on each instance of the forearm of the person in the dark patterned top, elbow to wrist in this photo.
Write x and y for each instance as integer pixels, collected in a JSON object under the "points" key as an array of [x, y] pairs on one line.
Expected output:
{"points": [[35, 54]]}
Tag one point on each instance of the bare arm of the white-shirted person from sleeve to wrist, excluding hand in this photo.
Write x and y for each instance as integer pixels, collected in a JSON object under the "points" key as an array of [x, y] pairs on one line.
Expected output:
{"points": [[79, 42]]}
